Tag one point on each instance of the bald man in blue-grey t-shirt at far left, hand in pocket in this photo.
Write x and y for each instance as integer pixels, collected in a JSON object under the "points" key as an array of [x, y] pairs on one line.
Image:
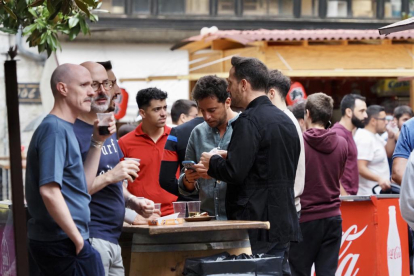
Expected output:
{"points": [[56, 184]]}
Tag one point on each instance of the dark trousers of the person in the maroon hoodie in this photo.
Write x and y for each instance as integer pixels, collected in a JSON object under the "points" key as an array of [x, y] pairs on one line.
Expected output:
{"points": [[320, 245]]}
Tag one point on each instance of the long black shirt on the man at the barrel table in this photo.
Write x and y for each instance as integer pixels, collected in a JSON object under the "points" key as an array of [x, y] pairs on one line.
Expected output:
{"points": [[260, 171]]}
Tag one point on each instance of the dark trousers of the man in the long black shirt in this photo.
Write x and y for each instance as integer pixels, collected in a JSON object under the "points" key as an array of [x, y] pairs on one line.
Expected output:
{"points": [[275, 249]]}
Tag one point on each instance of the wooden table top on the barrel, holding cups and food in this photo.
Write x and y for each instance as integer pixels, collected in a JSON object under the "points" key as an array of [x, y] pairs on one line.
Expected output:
{"points": [[197, 226]]}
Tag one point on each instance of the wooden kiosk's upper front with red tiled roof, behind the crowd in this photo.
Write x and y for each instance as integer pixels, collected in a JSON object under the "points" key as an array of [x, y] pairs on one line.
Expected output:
{"points": [[303, 54]]}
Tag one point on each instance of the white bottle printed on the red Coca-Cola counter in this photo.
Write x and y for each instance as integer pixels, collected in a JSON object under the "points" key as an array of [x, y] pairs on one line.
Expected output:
{"points": [[394, 257]]}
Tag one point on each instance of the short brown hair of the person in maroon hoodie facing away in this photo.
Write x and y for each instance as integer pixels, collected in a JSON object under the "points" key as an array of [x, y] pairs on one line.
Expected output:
{"points": [[320, 108]]}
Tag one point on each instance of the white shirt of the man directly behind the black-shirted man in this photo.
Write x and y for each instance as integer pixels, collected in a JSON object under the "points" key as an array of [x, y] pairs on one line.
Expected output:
{"points": [[300, 171]]}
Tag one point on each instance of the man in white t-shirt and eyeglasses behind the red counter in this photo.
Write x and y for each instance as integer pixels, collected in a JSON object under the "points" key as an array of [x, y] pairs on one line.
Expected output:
{"points": [[372, 151]]}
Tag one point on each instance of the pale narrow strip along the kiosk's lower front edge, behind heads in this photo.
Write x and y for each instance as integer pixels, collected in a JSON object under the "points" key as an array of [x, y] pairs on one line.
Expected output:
{"points": [[391, 73]]}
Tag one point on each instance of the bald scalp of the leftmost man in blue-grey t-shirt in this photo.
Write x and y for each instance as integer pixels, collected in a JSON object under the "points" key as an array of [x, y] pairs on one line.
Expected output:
{"points": [[66, 73]]}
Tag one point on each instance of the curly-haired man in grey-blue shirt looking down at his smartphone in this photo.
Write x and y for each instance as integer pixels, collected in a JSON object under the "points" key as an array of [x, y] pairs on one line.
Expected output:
{"points": [[214, 103]]}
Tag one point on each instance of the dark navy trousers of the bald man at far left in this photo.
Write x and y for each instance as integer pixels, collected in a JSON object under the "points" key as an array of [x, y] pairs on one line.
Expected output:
{"points": [[59, 258]]}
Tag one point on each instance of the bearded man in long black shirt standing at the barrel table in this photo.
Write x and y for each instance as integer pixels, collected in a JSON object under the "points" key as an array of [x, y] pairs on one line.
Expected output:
{"points": [[261, 161]]}
